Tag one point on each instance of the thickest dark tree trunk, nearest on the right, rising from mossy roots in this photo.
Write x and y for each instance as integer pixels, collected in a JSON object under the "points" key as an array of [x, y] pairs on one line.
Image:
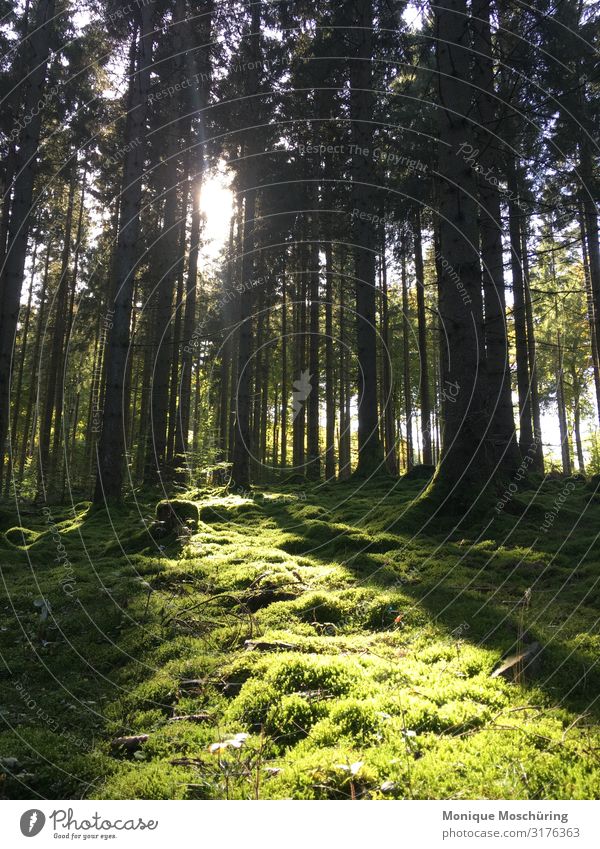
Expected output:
{"points": [[466, 456]]}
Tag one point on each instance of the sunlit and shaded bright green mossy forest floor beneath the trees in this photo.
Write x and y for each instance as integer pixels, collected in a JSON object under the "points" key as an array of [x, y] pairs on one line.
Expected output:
{"points": [[322, 644]]}
